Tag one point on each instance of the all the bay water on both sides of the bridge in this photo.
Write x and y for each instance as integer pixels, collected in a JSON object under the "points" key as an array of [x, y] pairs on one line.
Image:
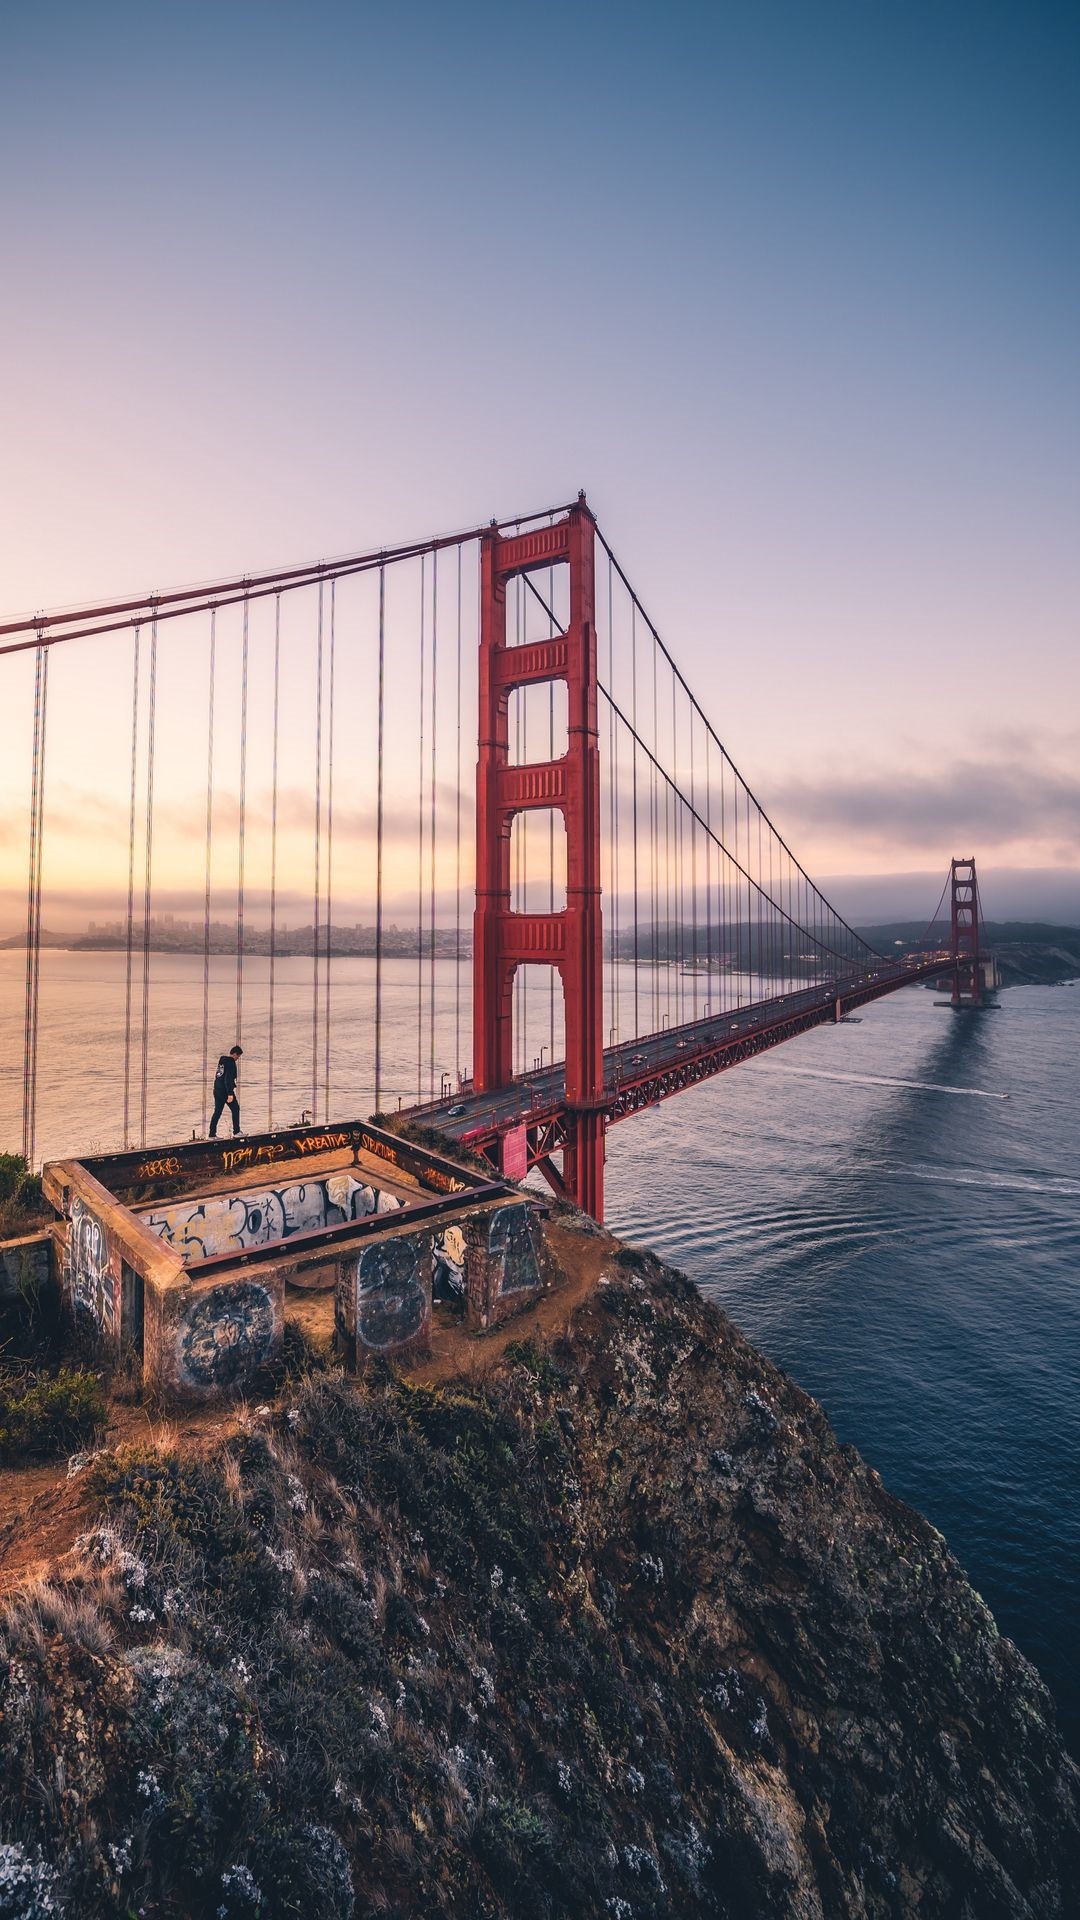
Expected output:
{"points": [[889, 1209]]}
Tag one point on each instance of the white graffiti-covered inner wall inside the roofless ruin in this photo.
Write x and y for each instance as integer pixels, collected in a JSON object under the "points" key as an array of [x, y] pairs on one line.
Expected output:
{"points": [[230, 1224]]}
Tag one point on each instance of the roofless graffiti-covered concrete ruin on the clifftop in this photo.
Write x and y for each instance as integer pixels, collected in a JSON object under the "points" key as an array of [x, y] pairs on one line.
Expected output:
{"points": [[193, 1257]]}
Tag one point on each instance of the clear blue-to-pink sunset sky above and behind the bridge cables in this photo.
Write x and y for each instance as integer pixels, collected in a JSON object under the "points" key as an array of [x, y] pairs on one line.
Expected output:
{"points": [[791, 291]]}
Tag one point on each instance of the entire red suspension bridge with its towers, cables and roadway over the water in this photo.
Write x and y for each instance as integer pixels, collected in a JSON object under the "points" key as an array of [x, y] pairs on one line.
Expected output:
{"points": [[620, 853]]}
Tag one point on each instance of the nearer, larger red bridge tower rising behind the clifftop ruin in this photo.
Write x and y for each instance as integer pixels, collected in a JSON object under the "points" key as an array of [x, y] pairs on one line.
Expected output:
{"points": [[570, 940]]}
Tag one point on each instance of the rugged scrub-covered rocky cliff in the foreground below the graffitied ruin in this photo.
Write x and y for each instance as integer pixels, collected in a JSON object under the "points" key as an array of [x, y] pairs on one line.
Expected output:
{"points": [[610, 1629]]}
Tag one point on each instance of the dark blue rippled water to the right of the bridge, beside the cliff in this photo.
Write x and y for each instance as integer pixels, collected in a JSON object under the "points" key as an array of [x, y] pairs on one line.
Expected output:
{"points": [[912, 1259]]}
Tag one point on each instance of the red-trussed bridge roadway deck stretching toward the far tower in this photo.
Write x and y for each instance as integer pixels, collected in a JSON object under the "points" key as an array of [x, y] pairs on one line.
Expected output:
{"points": [[643, 1072]]}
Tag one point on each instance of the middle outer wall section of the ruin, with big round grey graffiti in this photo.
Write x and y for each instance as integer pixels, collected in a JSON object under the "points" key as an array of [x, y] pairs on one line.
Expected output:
{"points": [[383, 1299]]}
